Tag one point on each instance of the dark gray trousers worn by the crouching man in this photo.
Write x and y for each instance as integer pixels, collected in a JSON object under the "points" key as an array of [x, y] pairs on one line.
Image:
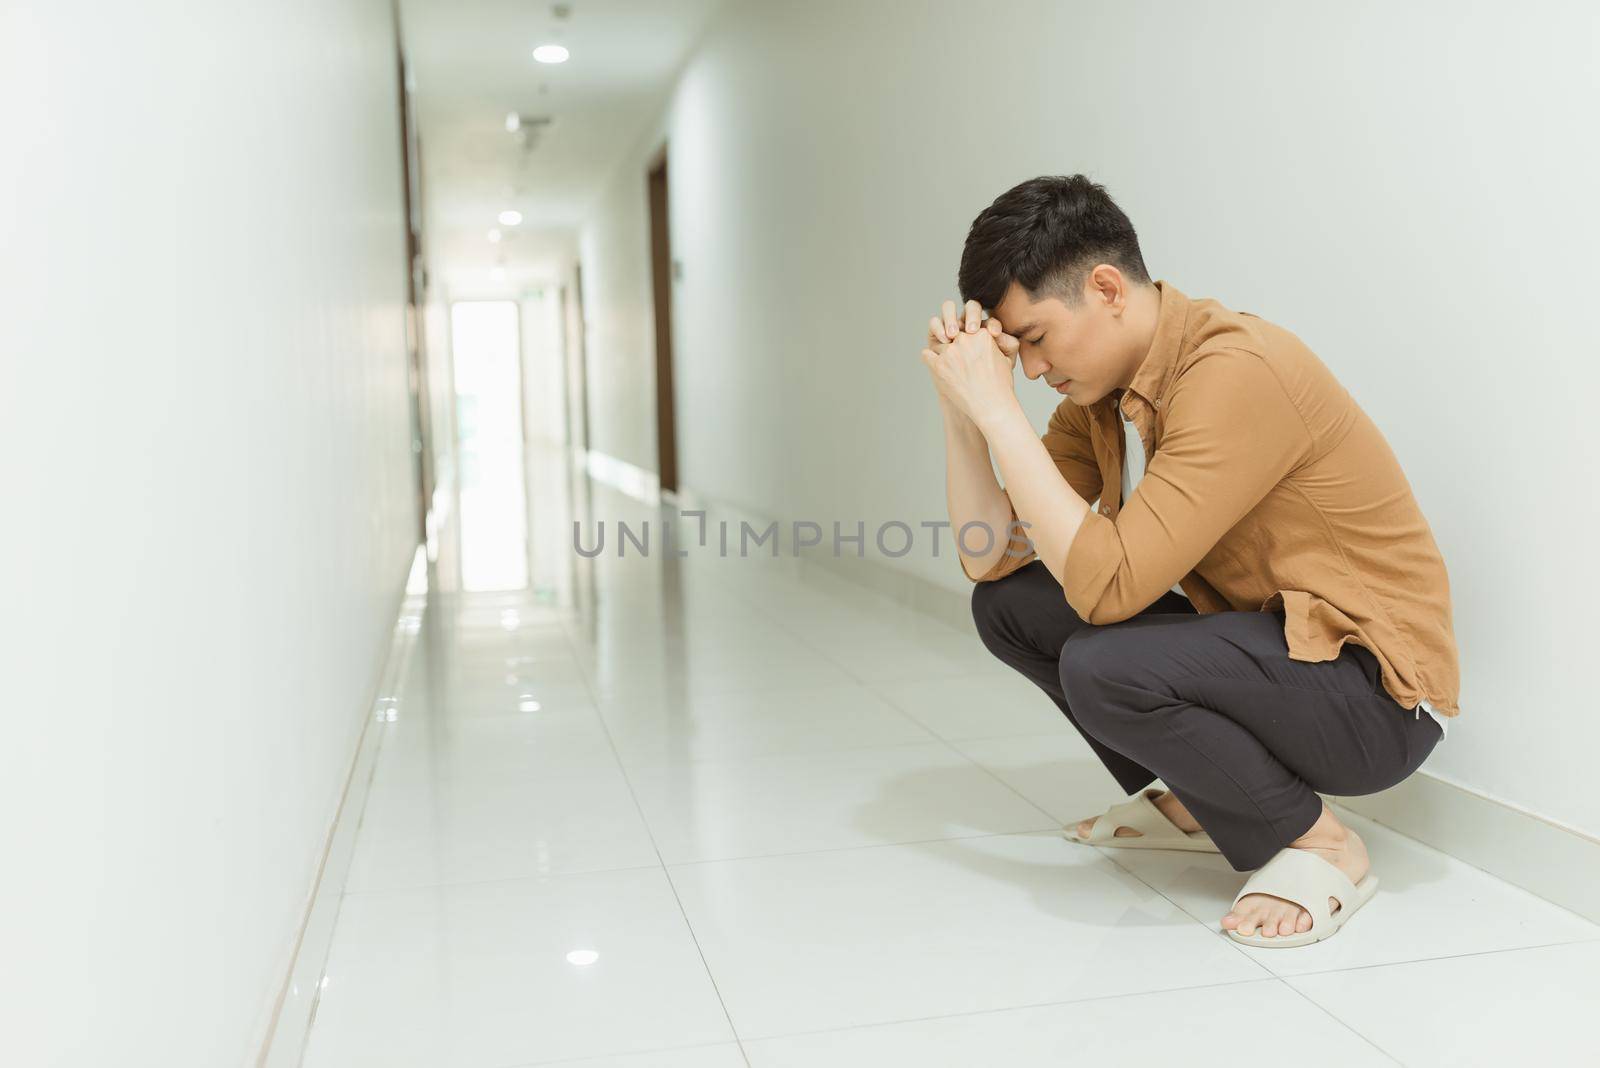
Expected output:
{"points": [[1214, 706]]}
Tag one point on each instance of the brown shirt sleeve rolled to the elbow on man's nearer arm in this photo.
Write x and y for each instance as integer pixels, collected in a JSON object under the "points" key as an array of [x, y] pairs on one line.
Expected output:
{"points": [[1231, 436]]}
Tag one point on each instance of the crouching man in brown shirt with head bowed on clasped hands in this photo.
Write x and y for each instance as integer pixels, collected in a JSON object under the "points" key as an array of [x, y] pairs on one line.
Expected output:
{"points": [[1265, 618]]}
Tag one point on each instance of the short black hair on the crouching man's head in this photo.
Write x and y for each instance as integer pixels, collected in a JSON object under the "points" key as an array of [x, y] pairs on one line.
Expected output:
{"points": [[1047, 234]]}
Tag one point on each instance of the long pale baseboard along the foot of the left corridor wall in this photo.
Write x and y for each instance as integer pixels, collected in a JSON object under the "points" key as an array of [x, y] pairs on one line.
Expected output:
{"points": [[297, 1003]]}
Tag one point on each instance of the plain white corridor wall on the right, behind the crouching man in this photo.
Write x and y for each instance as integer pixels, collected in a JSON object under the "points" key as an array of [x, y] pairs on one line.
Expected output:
{"points": [[1410, 188]]}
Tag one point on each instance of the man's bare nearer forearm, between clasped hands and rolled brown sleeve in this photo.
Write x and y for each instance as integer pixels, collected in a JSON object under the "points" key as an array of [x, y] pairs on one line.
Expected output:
{"points": [[1042, 498]]}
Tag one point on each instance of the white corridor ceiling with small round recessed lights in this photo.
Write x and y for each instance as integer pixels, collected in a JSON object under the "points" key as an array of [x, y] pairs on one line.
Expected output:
{"points": [[473, 65]]}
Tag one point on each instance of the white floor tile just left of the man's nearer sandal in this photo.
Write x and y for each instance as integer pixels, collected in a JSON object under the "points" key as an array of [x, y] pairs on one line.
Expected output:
{"points": [[900, 933]]}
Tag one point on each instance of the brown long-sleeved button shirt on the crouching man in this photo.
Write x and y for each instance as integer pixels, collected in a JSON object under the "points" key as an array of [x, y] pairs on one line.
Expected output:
{"points": [[1266, 487]]}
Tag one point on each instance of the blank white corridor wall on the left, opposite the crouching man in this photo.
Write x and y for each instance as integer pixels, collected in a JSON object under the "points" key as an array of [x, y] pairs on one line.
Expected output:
{"points": [[204, 448]]}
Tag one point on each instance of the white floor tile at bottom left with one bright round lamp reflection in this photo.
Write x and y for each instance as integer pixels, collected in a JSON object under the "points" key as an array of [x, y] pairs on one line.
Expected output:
{"points": [[479, 976]]}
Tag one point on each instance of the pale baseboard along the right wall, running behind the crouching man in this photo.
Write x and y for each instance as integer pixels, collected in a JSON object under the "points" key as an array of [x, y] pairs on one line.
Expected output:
{"points": [[1553, 861]]}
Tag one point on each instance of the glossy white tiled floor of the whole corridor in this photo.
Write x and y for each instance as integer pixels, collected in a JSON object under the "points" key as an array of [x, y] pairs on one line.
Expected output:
{"points": [[719, 815]]}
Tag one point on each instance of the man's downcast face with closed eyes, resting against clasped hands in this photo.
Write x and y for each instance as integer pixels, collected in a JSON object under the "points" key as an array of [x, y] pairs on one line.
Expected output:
{"points": [[1076, 351]]}
